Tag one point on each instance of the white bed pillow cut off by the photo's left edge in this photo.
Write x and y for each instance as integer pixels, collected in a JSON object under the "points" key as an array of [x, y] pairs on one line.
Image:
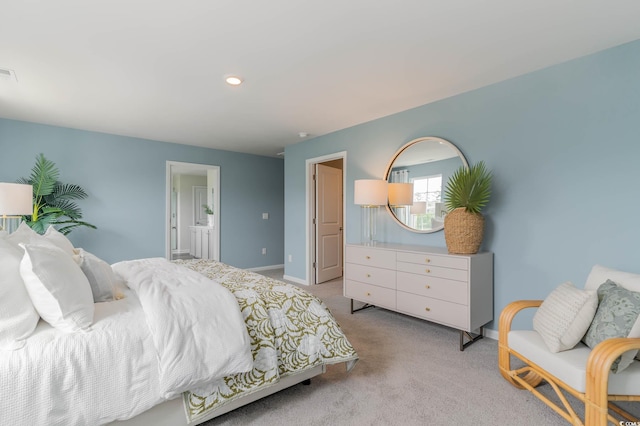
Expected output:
{"points": [[18, 317]]}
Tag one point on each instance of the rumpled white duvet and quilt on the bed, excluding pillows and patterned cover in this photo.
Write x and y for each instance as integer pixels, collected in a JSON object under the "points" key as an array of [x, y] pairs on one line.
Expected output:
{"points": [[122, 366]]}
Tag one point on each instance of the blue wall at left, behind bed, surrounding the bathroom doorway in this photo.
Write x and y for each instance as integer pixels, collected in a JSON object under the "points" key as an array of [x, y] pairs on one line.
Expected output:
{"points": [[125, 179]]}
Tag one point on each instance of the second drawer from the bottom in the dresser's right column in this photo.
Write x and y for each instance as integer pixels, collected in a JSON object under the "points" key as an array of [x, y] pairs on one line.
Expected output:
{"points": [[437, 288]]}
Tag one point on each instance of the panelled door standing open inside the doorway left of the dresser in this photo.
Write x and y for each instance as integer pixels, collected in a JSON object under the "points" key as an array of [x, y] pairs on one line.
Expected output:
{"points": [[328, 223]]}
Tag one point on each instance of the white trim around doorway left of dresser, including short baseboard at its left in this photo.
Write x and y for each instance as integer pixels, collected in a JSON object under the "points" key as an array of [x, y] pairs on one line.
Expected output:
{"points": [[309, 163]]}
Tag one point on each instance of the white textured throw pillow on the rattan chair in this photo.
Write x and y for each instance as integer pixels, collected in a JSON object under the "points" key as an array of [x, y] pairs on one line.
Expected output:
{"points": [[564, 316]]}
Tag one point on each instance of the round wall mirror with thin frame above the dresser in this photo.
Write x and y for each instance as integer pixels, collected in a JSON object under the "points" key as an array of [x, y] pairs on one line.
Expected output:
{"points": [[417, 175]]}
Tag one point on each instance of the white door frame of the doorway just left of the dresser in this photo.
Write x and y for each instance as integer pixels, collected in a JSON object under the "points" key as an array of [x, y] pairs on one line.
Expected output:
{"points": [[310, 202]]}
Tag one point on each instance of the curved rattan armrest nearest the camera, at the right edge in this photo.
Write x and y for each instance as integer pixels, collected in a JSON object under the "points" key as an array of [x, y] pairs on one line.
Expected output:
{"points": [[599, 363]]}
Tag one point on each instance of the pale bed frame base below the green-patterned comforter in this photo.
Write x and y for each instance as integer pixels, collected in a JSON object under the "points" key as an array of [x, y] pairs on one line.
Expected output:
{"points": [[172, 412]]}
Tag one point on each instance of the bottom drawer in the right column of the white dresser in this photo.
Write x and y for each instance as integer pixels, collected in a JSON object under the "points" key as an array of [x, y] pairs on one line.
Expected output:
{"points": [[435, 310]]}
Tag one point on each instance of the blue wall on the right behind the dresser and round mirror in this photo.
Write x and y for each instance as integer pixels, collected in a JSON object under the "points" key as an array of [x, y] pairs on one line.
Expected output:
{"points": [[563, 144]]}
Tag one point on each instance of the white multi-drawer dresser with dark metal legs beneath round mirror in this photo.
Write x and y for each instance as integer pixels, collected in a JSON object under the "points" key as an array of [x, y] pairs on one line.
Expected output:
{"points": [[425, 282]]}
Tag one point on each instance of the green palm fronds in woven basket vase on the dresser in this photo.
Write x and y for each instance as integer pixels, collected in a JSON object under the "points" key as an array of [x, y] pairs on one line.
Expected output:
{"points": [[467, 192]]}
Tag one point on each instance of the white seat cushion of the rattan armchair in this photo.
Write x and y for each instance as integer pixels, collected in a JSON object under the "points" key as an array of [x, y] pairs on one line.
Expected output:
{"points": [[571, 366]]}
